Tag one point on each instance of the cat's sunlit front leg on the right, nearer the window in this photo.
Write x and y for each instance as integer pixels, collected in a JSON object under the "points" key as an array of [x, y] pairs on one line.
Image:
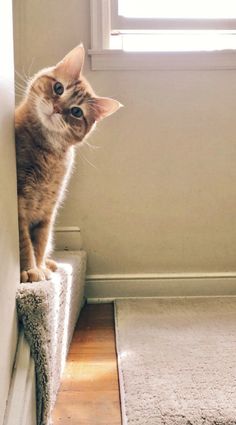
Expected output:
{"points": [[41, 235]]}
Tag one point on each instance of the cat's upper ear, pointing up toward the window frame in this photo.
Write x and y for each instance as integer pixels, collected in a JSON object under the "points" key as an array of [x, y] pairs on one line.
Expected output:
{"points": [[72, 64]]}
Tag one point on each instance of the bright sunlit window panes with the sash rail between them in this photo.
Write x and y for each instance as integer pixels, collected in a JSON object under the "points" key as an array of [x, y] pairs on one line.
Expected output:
{"points": [[168, 25]]}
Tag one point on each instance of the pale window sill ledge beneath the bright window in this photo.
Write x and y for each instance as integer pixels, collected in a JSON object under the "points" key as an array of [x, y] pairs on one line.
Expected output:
{"points": [[162, 61]]}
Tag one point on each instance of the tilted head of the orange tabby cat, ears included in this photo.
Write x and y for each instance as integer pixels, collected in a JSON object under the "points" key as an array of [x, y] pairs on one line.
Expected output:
{"points": [[64, 101]]}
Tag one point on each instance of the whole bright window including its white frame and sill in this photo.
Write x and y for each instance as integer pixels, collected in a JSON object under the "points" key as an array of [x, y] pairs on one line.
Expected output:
{"points": [[163, 34]]}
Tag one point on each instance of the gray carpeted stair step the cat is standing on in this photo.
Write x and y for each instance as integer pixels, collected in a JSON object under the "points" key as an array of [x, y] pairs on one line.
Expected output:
{"points": [[48, 312]]}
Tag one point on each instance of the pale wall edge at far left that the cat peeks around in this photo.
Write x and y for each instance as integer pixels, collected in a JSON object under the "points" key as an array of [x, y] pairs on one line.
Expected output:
{"points": [[9, 262]]}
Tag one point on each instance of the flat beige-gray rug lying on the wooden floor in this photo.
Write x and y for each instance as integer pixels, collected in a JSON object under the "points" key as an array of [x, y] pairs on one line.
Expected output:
{"points": [[177, 361]]}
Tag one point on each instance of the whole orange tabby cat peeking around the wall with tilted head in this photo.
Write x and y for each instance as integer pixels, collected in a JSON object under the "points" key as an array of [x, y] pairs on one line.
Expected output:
{"points": [[58, 111]]}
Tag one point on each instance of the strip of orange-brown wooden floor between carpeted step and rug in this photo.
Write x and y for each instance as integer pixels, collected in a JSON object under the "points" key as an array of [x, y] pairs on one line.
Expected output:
{"points": [[89, 392]]}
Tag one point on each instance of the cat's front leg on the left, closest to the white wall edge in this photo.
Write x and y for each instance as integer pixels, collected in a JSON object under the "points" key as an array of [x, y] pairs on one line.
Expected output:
{"points": [[29, 271]]}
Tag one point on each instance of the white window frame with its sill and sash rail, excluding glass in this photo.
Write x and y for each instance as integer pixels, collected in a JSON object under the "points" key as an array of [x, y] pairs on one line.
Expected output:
{"points": [[104, 58]]}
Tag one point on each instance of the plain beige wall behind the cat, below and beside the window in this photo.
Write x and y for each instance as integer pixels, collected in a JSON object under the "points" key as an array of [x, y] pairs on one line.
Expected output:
{"points": [[162, 197]]}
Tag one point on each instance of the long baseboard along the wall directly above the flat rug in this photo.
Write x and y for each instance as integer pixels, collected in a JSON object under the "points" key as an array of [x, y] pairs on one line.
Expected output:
{"points": [[105, 288]]}
